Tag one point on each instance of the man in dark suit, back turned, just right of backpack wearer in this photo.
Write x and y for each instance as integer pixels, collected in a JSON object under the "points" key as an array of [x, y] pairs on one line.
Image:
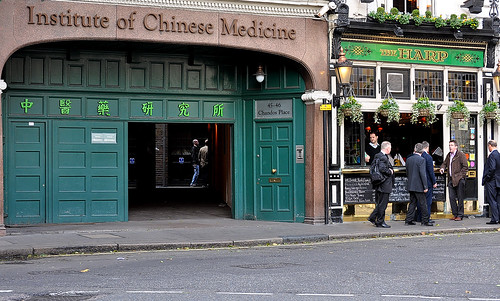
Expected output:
{"points": [[417, 186]]}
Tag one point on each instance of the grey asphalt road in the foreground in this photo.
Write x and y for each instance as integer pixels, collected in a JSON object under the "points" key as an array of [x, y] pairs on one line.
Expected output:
{"points": [[437, 267]]}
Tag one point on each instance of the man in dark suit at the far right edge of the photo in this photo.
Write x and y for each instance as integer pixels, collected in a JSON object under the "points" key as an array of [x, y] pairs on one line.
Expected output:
{"points": [[491, 180]]}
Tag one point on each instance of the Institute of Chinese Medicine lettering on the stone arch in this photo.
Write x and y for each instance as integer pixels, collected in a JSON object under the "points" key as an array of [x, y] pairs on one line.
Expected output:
{"points": [[162, 23]]}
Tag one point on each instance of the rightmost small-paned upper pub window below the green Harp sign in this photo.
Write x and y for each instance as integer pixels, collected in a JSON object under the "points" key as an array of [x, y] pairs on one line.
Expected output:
{"points": [[463, 86]]}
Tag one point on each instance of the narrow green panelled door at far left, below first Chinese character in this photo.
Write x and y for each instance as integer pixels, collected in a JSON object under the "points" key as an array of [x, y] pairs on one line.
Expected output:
{"points": [[26, 174]]}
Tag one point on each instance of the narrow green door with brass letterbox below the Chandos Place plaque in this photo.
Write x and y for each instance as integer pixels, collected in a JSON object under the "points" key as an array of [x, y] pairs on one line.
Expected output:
{"points": [[274, 171]]}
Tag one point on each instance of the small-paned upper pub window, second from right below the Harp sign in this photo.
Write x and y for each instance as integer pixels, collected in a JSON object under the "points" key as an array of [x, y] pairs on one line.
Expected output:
{"points": [[429, 81]]}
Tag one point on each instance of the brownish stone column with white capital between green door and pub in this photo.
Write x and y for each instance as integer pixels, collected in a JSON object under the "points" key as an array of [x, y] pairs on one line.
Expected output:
{"points": [[315, 180]]}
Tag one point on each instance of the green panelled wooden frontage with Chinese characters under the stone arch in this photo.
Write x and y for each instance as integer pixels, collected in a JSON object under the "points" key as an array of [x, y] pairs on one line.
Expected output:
{"points": [[101, 91]]}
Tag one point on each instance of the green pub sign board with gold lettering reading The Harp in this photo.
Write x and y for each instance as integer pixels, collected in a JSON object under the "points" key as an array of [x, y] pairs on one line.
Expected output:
{"points": [[413, 54]]}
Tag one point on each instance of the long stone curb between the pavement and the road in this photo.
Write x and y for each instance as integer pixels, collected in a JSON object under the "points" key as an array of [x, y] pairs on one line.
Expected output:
{"points": [[27, 253]]}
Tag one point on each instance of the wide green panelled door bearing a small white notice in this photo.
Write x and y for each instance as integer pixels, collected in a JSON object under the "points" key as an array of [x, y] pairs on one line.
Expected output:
{"points": [[89, 178]]}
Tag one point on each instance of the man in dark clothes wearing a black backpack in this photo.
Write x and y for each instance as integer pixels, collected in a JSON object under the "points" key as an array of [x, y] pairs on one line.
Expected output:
{"points": [[383, 190]]}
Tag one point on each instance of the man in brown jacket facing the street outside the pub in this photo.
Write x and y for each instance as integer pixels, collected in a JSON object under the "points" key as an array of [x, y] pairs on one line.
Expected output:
{"points": [[456, 168]]}
